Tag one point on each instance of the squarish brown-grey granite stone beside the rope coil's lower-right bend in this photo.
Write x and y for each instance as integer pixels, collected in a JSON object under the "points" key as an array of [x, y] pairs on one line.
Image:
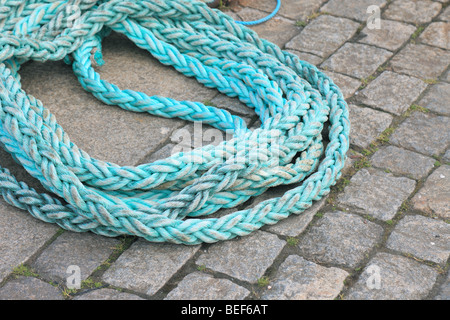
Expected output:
{"points": [[368, 186]]}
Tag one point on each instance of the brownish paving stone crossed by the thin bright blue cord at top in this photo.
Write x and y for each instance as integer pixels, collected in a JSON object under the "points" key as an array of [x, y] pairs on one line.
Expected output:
{"points": [[277, 30]]}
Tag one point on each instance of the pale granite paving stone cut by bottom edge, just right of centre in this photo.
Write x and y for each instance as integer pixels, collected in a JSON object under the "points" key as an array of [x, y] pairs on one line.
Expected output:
{"points": [[299, 279]]}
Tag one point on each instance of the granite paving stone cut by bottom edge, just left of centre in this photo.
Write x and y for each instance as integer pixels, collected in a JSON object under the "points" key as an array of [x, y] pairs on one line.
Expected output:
{"points": [[201, 286]]}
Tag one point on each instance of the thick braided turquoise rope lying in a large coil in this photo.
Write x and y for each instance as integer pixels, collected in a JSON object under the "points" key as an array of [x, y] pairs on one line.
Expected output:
{"points": [[170, 200]]}
